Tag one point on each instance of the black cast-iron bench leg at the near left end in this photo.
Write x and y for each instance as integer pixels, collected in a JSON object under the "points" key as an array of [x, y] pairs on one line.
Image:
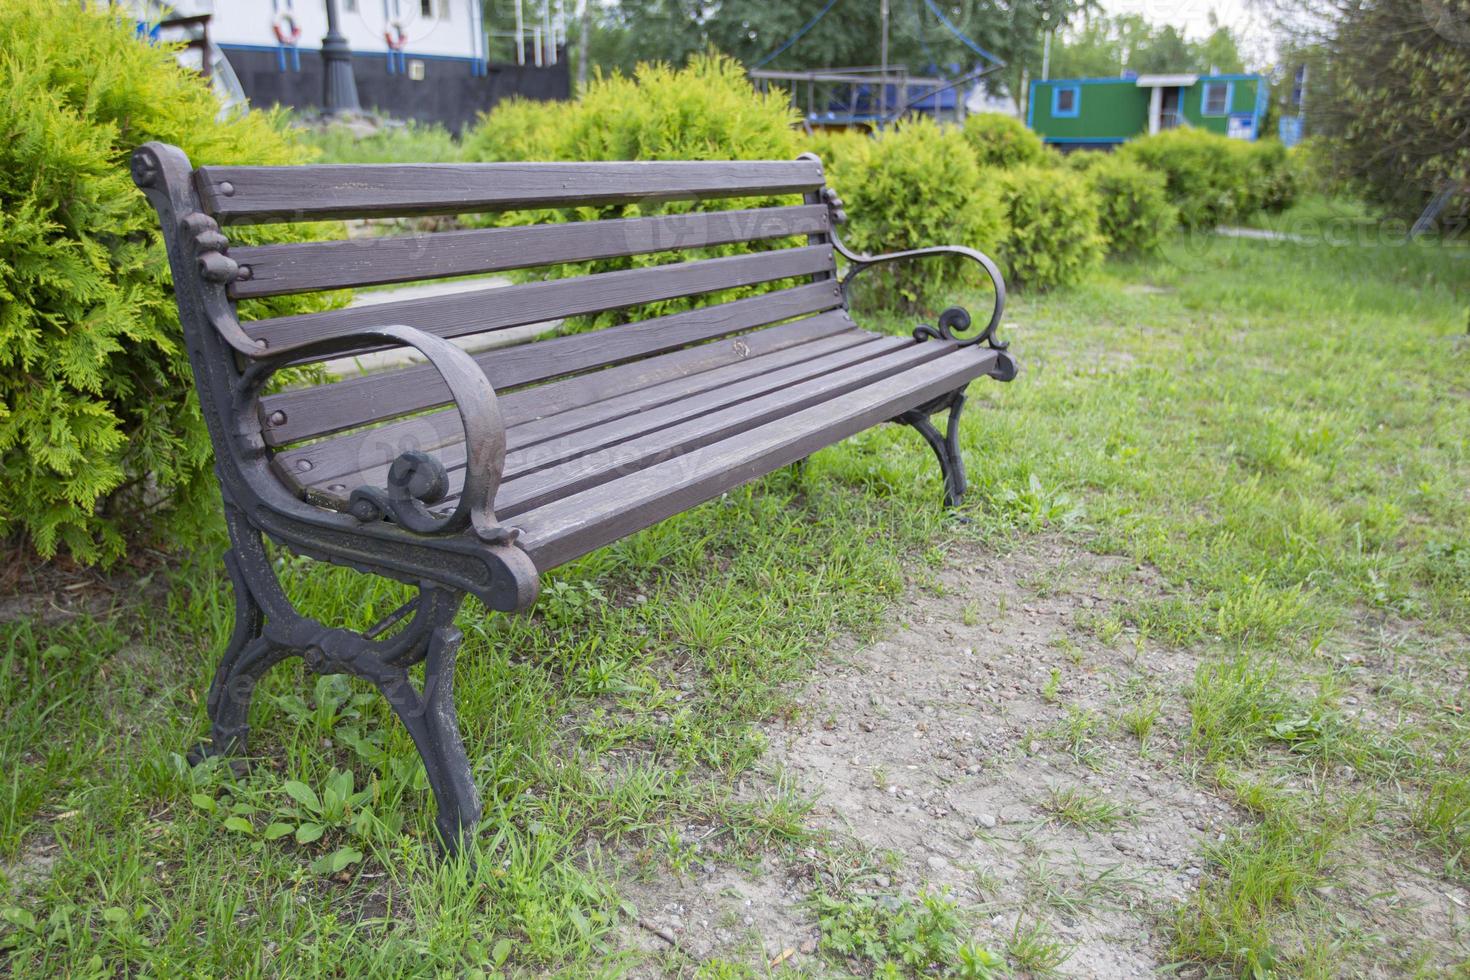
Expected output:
{"points": [[268, 630]]}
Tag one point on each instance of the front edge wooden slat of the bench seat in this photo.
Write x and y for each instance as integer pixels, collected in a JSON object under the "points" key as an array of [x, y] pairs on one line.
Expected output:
{"points": [[577, 524]]}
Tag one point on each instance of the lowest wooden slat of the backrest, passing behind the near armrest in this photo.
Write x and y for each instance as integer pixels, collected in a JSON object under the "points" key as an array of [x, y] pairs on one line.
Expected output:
{"points": [[314, 412]]}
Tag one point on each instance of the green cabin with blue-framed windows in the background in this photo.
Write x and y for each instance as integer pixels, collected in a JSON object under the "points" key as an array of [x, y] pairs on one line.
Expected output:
{"points": [[1100, 112]]}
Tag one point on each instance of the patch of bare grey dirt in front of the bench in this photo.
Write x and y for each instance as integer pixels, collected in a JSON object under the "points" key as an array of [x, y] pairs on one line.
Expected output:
{"points": [[947, 744]]}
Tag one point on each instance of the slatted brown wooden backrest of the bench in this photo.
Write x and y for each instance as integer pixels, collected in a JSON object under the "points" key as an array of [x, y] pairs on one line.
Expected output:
{"points": [[792, 262]]}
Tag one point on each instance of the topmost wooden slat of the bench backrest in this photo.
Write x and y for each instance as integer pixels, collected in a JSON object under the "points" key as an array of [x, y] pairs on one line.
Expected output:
{"points": [[331, 192]]}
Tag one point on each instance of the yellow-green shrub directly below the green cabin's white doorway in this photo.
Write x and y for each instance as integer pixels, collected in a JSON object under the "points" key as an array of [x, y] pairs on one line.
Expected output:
{"points": [[1209, 176]]}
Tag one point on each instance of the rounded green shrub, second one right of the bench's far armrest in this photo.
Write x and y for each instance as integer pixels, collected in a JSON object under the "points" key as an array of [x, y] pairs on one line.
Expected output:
{"points": [[1053, 220]]}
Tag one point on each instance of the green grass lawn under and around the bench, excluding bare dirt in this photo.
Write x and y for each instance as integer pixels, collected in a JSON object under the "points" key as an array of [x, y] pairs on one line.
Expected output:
{"points": [[1280, 431]]}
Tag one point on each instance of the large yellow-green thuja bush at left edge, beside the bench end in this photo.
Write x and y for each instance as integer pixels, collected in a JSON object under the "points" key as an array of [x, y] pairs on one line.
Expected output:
{"points": [[101, 437]]}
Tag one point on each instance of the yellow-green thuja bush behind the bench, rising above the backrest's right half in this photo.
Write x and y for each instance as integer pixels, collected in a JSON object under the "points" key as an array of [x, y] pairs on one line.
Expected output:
{"points": [[706, 111]]}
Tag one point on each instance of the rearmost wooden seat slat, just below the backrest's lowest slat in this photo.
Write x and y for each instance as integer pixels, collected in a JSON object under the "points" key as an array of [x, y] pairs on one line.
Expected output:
{"points": [[339, 459]]}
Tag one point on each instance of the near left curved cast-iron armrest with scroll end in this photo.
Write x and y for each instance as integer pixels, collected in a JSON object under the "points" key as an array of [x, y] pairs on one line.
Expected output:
{"points": [[418, 480]]}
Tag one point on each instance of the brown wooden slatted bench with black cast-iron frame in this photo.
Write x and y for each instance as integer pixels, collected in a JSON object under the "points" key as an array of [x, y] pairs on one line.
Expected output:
{"points": [[476, 474]]}
